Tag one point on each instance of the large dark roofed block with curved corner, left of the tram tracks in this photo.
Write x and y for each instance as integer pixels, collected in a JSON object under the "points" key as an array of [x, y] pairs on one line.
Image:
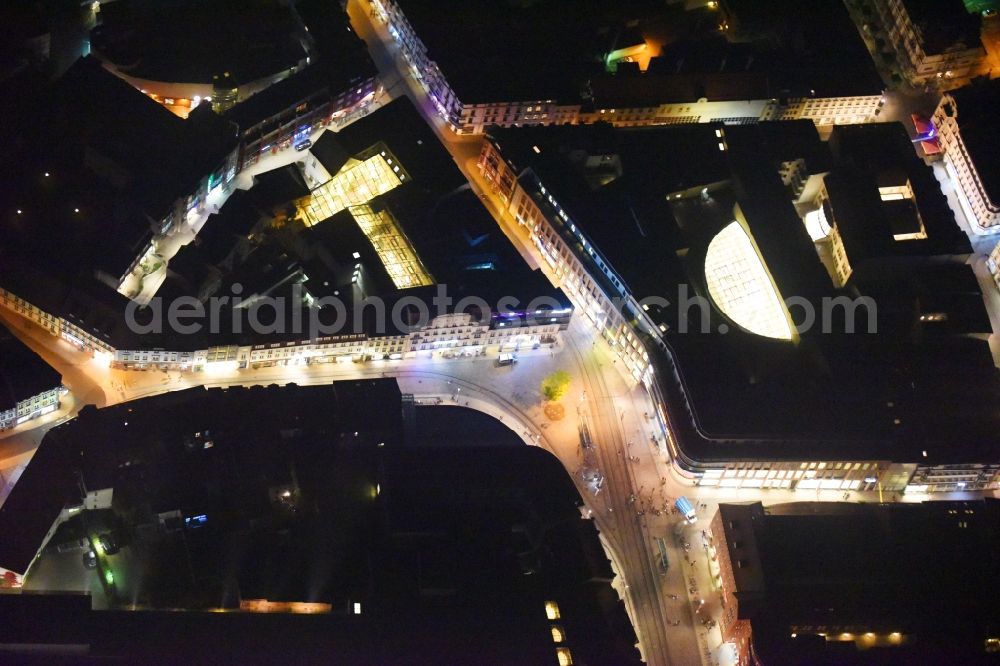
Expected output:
{"points": [[433, 541]]}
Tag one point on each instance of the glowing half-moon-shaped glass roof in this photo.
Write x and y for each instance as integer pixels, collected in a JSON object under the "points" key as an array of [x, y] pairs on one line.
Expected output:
{"points": [[741, 287]]}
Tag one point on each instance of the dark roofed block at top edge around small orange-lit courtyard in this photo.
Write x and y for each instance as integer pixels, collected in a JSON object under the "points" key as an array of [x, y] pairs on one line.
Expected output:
{"points": [[819, 50]]}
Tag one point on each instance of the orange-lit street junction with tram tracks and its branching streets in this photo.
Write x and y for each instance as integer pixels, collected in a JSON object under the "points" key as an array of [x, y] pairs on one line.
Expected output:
{"points": [[626, 482]]}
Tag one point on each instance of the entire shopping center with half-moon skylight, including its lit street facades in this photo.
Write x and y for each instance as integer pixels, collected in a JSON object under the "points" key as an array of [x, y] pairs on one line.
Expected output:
{"points": [[676, 261]]}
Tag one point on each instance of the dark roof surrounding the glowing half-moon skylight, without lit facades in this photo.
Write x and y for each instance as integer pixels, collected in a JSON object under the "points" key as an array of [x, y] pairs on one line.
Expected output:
{"points": [[825, 396]]}
